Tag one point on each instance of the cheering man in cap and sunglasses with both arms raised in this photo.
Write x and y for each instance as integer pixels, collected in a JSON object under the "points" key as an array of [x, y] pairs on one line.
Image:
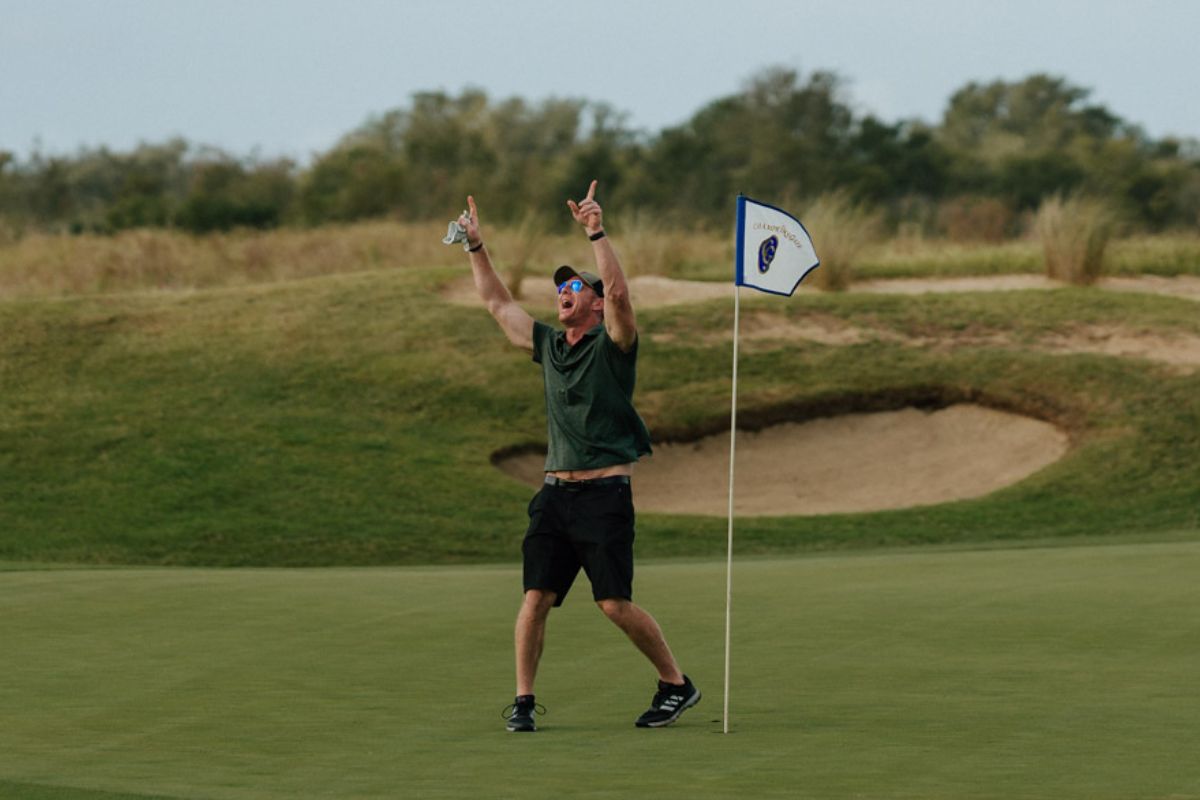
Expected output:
{"points": [[584, 515]]}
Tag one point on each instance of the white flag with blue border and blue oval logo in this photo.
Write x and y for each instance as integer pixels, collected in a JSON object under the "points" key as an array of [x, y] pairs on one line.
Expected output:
{"points": [[775, 250]]}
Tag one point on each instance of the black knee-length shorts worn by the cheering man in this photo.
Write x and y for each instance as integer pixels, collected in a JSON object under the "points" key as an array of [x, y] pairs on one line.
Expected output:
{"points": [[590, 527]]}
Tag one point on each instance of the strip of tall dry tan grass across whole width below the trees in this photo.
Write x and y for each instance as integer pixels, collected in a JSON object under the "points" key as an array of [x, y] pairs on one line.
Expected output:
{"points": [[847, 237]]}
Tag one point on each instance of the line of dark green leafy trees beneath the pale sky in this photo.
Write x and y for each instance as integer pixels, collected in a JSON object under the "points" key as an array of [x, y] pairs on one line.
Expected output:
{"points": [[999, 149]]}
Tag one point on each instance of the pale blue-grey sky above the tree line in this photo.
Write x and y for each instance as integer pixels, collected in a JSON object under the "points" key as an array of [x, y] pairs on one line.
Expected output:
{"points": [[290, 77]]}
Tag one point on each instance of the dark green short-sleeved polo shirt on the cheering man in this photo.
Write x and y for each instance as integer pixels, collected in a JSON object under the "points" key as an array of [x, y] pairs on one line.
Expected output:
{"points": [[591, 419]]}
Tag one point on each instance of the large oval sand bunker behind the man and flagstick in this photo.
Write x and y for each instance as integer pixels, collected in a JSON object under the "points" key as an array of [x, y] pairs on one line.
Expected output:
{"points": [[851, 464]]}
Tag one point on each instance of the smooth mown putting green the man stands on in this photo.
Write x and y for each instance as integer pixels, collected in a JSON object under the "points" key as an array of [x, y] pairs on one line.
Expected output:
{"points": [[1031, 673]]}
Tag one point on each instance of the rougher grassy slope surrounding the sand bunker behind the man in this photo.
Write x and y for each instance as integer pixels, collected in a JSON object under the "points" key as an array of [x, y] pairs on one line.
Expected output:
{"points": [[350, 420]]}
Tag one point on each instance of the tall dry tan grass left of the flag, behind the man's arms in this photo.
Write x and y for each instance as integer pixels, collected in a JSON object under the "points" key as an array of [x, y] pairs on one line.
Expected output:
{"points": [[57, 264]]}
